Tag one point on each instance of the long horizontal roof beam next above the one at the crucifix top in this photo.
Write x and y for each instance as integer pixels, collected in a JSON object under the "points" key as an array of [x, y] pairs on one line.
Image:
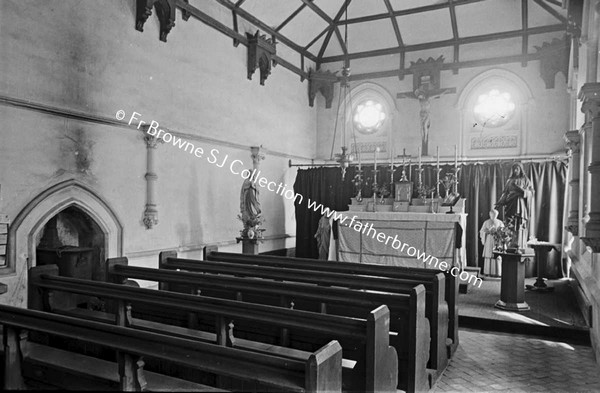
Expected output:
{"points": [[443, 43]]}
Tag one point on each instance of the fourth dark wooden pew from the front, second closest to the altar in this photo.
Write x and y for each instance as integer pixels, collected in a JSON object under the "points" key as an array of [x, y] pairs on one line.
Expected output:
{"points": [[436, 307]]}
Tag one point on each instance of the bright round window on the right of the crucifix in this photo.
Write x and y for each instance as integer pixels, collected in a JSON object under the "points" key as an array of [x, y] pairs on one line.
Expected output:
{"points": [[494, 109]]}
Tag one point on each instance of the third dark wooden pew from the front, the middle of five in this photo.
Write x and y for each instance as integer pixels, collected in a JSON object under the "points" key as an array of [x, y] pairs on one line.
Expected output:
{"points": [[411, 329]]}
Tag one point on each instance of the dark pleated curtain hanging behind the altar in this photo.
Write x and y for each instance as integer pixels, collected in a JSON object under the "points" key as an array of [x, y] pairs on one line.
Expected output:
{"points": [[480, 184]]}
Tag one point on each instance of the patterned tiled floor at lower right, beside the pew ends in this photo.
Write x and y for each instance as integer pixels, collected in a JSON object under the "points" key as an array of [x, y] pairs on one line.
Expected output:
{"points": [[490, 362]]}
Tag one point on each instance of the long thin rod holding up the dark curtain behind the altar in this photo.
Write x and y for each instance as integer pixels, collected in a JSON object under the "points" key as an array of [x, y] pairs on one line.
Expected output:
{"points": [[431, 160]]}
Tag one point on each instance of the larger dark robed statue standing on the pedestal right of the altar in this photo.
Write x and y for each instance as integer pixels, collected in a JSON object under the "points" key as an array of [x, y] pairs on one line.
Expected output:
{"points": [[517, 199]]}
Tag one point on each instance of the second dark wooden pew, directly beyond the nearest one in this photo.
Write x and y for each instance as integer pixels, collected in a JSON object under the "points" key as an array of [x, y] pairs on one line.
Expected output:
{"points": [[376, 369]]}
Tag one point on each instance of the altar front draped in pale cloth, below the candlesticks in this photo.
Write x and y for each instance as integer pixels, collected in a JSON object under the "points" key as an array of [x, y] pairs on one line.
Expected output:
{"points": [[437, 234]]}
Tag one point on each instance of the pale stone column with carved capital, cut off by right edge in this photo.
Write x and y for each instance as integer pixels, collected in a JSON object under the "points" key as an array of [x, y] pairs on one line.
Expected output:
{"points": [[590, 97]]}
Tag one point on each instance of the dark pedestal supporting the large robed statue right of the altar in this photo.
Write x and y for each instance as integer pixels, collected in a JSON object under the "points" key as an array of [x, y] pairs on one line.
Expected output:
{"points": [[512, 287]]}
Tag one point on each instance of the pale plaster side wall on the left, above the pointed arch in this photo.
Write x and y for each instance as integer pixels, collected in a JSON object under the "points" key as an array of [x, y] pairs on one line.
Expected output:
{"points": [[87, 57]]}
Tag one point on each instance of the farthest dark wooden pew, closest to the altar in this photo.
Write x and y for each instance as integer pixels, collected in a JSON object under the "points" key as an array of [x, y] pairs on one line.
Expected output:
{"points": [[211, 253]]}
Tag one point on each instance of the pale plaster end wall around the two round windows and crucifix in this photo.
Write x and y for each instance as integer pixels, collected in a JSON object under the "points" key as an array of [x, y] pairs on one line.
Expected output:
{"points": [[542, 118]]}
